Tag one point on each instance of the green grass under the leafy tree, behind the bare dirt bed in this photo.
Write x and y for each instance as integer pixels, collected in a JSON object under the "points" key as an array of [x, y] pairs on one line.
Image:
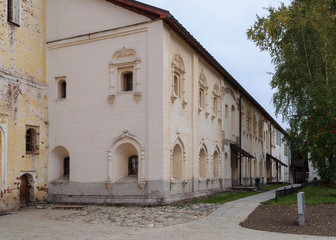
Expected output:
{"points": [[316, 194]]}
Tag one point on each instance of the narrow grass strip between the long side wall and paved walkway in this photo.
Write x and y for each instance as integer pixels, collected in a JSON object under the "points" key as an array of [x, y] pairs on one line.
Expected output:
{"points": [[223, 197]]}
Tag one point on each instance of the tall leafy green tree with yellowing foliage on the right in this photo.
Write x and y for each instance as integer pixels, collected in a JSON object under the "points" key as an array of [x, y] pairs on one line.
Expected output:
{"points": [[301, 39]]}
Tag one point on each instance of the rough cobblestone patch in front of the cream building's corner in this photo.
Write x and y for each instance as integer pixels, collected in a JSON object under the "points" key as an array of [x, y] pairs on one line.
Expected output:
{"points": [[141, 216]]}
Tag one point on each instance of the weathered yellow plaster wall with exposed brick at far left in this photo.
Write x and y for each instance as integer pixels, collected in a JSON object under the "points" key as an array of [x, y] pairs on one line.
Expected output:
{"points": [[23, 102]]}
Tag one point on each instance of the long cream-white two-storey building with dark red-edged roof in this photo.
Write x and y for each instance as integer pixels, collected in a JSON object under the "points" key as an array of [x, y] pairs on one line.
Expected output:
{"points": [[141, 113]]}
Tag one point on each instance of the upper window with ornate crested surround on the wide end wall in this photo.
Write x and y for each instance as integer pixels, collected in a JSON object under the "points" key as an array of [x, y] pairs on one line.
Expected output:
{"points": [[124, 74]]}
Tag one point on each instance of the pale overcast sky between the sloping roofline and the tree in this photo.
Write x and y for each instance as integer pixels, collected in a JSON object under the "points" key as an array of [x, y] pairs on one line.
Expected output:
{"points": [[220, 26]]}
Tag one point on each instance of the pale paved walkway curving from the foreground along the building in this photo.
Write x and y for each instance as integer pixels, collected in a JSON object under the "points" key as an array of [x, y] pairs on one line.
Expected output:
{"points": [[221, 224]]}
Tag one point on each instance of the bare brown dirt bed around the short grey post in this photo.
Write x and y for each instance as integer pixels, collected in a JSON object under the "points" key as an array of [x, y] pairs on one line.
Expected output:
{"points": [[319, 220]]}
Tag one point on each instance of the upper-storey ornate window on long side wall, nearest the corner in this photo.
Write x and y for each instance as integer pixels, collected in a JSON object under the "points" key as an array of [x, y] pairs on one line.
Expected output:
{"points": [[178, 72]]}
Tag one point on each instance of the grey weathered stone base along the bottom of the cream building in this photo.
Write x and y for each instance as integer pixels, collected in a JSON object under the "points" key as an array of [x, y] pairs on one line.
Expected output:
{"points": [[129, 192]]}
